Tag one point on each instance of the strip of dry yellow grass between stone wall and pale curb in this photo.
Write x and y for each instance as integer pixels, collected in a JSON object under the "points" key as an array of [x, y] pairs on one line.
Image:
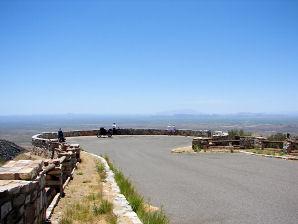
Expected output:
{"points": [[83, 201]]}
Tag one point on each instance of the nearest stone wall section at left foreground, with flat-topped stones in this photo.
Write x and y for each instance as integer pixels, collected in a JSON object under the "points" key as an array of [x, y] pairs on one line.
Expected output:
{"points": [[27, 187]]}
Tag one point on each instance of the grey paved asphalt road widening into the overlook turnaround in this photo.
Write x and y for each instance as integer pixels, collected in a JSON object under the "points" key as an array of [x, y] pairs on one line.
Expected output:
{"points": [[204, 188]]}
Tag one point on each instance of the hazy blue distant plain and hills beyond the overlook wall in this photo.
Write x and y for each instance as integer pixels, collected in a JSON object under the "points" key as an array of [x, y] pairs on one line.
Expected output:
{"points": [[20, 129]]}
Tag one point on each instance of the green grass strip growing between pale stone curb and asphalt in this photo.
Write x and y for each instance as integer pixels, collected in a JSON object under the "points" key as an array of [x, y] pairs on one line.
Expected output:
{"points": [[136, 200]]}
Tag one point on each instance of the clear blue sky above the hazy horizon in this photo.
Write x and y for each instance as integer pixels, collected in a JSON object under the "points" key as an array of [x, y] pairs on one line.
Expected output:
{"points": [[146, 57]]}
